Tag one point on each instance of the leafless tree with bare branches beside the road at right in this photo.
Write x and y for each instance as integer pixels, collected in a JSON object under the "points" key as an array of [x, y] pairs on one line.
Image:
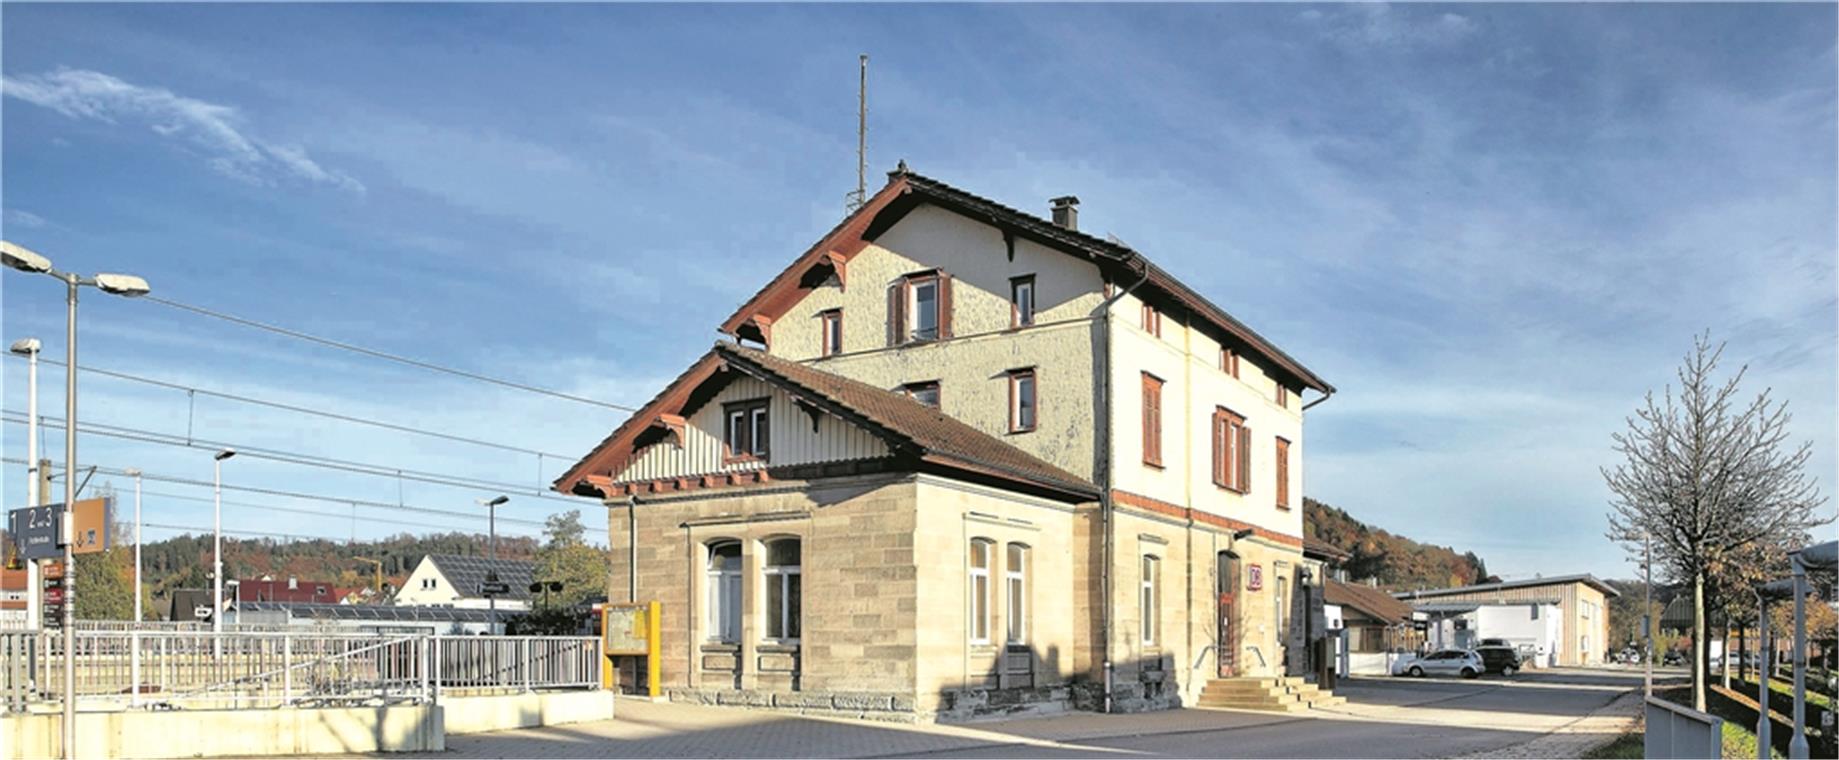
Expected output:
{"points": [[1708, 476]]}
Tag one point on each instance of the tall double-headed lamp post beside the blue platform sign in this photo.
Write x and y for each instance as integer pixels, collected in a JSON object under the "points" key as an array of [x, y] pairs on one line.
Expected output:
{"points": [[32, 262]]}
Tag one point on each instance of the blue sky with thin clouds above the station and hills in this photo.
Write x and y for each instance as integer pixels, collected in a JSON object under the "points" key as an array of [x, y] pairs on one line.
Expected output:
{"points": [[1492, 227]]}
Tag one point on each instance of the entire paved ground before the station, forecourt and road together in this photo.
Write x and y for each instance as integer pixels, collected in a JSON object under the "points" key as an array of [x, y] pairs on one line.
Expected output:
{"points": [[1548, 715]]}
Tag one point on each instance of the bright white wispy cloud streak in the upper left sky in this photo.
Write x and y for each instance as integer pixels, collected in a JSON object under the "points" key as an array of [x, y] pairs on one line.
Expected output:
{"points": [[220, 132]]}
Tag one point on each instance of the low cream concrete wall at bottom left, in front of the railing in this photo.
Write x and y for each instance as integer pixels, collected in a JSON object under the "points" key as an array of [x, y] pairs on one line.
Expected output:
{"points": [[231, 733]]}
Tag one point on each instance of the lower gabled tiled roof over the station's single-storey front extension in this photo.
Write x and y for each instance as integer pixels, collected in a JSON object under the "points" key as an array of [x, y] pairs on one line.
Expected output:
{"points": [[909, 426]]}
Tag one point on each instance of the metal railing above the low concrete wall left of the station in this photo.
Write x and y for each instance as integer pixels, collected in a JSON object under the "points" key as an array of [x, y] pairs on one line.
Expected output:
{"points": [[260, 669]]}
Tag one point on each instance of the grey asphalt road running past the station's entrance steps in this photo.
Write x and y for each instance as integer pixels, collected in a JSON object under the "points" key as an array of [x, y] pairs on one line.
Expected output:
{"points": [[1384, 719]]}
